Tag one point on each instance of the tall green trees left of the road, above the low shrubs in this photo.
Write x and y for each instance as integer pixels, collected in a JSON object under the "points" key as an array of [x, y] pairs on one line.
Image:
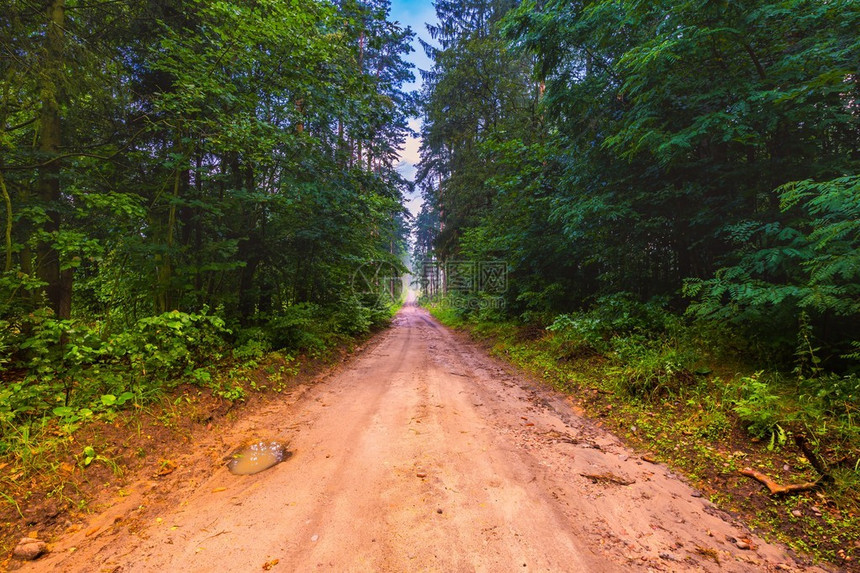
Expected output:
{"points": [[258, 147]]}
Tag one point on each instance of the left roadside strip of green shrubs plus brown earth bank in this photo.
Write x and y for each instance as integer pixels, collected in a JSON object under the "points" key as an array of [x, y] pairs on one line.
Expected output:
{"points": [[85, 411]]}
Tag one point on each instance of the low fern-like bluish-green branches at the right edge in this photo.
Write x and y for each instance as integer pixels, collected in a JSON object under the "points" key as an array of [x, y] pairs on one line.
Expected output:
{"points": [[794, 276]]}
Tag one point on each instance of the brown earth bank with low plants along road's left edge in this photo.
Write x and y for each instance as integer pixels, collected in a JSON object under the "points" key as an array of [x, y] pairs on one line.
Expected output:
{"points": [[58, 465]]}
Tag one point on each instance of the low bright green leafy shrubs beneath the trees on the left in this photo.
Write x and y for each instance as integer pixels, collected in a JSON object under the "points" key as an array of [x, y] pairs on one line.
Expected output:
{"points": [[74, 374]]}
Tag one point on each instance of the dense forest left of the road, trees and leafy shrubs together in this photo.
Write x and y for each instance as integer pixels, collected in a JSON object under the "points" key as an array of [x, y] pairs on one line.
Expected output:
{"points": [[185, 178]]}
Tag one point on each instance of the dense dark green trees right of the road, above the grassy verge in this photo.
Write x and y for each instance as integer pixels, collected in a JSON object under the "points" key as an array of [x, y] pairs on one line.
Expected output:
{"points": [[700, 154]]}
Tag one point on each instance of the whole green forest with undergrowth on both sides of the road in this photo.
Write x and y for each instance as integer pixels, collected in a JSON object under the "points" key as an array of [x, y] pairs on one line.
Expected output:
{"points": [[673, 188]]}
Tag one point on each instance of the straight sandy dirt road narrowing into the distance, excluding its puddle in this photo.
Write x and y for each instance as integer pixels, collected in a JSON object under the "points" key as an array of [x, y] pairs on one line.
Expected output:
{"points": [[421, 454]]}
